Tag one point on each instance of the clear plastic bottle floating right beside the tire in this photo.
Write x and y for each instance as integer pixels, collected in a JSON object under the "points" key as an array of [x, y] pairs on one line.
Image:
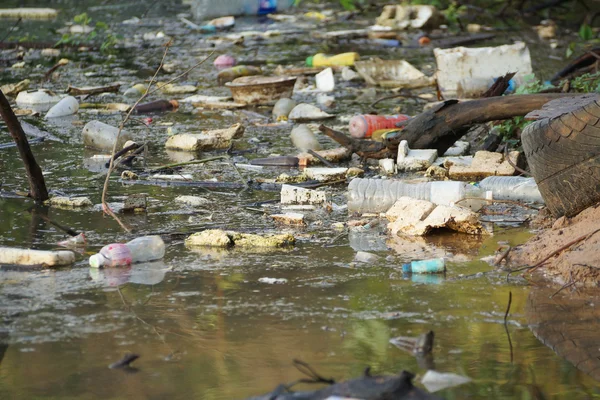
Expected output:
{"points": [[517, 188]]}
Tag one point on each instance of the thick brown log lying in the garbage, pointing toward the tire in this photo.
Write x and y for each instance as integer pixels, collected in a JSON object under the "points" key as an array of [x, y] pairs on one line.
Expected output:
{"points": [[441, 126]]}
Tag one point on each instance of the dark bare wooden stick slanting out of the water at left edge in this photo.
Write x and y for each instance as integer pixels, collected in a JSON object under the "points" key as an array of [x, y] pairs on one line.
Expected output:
{"points": [[37, 185]]}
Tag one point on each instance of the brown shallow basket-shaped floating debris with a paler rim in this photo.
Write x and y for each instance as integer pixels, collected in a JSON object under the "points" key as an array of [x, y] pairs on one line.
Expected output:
{"points": [[261, 89]]}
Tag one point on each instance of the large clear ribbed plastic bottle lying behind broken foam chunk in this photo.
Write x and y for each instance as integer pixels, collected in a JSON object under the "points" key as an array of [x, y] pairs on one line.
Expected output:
{"points": [[378, 195]]}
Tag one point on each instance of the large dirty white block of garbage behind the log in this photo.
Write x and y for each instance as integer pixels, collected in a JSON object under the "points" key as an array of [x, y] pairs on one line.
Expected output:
{"points": [[461, 64]]}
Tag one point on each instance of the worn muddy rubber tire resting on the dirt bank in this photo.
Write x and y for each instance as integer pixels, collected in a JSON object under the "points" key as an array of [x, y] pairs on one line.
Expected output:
{"points": [[563, 151]]}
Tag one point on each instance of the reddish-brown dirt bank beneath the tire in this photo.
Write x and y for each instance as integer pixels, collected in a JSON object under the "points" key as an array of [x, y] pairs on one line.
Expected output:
{"points": [[578, 262]]}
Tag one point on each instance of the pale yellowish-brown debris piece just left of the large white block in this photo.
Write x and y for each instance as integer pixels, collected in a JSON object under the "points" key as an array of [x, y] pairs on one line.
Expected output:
{"points": [[392, 74]]}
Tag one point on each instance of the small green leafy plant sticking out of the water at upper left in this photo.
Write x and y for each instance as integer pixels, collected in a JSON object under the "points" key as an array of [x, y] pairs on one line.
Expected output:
{"points": [[91, 34]]}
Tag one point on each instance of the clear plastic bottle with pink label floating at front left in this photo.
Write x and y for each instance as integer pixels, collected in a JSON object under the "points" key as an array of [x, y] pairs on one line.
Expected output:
{"points": [[142, 249]]}
